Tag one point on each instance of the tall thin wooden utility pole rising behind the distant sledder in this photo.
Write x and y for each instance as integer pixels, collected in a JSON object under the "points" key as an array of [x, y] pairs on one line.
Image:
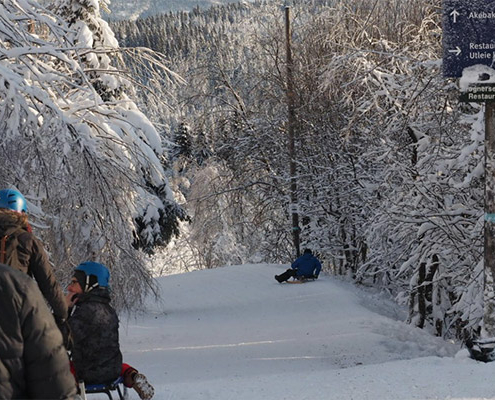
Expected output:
{"points": [[291, 122]]}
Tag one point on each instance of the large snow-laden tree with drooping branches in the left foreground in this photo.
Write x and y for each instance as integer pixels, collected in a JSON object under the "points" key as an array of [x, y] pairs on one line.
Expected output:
{"points": [[88, 160]]}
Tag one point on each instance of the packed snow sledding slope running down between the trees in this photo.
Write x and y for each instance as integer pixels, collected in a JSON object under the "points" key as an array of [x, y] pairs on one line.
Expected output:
{"points": [[235, 333]]}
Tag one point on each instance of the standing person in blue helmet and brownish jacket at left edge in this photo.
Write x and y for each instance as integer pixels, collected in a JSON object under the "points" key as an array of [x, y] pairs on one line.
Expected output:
{"points": [[20, 249]]}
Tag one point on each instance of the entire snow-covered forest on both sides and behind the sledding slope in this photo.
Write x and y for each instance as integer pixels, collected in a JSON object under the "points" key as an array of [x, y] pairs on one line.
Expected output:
{"points": [[124, 135]]}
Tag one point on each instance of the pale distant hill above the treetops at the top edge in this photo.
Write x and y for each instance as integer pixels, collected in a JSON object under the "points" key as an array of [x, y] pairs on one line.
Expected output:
{"points": [[133, 9]]}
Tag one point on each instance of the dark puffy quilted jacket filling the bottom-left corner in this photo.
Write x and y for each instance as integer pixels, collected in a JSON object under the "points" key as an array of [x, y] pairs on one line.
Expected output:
{"points": [[33, 361]]}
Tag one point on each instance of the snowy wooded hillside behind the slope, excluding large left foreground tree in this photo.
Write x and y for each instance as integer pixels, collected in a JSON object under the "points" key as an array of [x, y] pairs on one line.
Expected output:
{"points": [[389, 163]]}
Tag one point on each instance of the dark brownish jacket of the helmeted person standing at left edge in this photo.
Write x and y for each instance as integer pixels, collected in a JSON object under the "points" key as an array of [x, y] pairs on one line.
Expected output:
{"points": [[33, 260]]}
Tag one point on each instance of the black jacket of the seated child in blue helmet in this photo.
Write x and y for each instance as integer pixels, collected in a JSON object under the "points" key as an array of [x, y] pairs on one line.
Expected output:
{"points": [[95, 349]]}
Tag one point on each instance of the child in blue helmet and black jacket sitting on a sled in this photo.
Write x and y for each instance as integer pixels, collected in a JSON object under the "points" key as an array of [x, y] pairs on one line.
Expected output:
{"points": [[94, 326]]}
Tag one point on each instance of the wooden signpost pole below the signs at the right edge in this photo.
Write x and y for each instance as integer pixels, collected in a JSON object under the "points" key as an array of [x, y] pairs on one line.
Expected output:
{"points": [[490, 186]]}
